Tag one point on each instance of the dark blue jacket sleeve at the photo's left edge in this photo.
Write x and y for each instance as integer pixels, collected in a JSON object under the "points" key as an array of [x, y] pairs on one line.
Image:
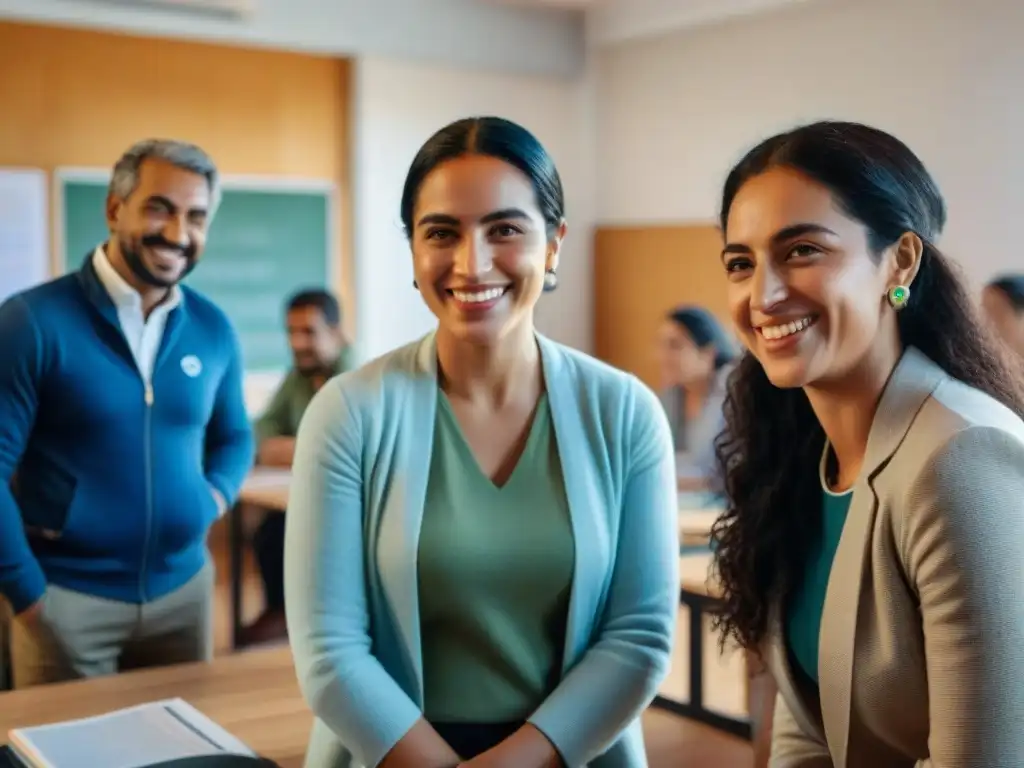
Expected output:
{"points": [[22, 580]]}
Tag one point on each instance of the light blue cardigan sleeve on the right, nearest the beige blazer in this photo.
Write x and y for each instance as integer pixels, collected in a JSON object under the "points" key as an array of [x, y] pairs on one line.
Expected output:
{"points": [[619, 675]]}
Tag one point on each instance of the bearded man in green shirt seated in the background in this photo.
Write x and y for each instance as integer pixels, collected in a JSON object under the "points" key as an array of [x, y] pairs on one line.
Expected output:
{"points": [[320, 352]]}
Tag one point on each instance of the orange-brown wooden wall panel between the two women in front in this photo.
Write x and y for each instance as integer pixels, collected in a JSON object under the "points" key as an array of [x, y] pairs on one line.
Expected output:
{"points": [[643, 273]]}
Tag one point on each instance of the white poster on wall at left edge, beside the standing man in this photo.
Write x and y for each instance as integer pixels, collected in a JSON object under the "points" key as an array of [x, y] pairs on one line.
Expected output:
{"points": [[25, 253]]}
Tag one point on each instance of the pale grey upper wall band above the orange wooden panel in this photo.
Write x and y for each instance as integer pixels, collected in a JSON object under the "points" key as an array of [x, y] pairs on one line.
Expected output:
{"points": [[465, 33]]}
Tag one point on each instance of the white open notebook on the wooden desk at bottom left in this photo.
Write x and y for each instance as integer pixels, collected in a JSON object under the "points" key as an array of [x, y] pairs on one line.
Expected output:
{"points": [[150, 735]]}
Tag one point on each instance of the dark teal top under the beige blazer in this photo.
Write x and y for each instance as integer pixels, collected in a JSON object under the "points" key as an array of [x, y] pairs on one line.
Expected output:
{"points": [[803, 620]]}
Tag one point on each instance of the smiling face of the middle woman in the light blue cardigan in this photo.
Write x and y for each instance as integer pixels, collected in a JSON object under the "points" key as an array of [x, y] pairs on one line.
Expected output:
{"points": [[481, 247]]}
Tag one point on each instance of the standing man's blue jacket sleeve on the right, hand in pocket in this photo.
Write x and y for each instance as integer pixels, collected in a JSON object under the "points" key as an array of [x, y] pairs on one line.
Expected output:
{"points": [[230, 444]]}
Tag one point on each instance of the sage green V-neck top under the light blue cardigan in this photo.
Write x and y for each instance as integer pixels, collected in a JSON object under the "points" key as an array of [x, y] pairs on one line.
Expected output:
{"points": [[495, 576]]}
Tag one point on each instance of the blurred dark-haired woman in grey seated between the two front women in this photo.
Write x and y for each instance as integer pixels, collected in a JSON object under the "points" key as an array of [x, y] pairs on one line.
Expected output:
{"points": [[696, 356]]}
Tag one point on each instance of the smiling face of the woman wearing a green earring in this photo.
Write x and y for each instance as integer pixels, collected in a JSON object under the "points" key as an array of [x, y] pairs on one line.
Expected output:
{"points": [[806, 293]]}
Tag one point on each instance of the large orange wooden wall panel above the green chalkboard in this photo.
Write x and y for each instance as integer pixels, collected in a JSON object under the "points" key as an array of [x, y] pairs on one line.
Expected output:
{"points": [[75, 98]]}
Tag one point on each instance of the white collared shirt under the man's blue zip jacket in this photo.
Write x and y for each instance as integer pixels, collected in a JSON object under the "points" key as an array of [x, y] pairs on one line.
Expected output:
{"points": [[143, 334]]}
